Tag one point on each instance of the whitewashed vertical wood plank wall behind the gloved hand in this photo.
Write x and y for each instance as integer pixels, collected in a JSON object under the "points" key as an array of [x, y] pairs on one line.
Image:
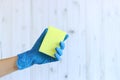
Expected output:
{"points": [[92, 51]]}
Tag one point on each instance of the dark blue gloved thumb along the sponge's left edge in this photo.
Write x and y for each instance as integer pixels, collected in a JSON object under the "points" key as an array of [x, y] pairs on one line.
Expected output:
{"points": [[40, 39]]}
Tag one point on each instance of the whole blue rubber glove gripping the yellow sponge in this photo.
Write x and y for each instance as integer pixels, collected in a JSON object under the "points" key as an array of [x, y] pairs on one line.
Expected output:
{"points": [[33, 56]]}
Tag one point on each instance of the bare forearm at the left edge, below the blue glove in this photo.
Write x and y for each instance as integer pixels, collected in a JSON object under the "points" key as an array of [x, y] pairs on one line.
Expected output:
{"points": [[8, 65]]}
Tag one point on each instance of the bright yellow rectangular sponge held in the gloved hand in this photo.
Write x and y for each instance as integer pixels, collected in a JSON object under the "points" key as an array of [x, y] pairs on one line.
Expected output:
{"points": [[51, 40]]}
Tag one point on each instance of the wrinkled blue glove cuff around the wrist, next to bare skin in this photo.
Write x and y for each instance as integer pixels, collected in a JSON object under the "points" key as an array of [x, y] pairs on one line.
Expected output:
{"points": [[24, 60]]}
